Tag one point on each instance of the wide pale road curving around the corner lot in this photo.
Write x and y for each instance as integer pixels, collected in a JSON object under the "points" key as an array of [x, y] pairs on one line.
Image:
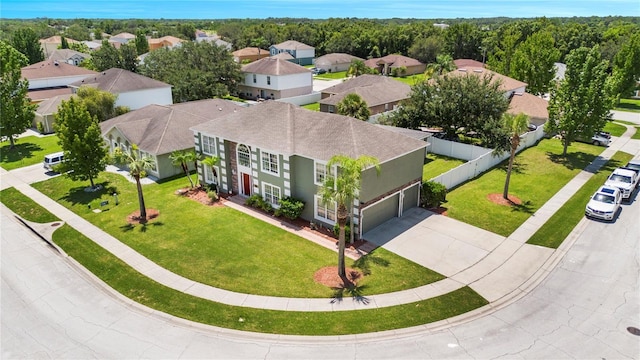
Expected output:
{"points": [[50, 309]]}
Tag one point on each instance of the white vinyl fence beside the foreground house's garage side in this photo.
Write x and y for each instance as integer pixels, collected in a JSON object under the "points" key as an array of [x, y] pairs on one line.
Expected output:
{"points": [[478, 159]]}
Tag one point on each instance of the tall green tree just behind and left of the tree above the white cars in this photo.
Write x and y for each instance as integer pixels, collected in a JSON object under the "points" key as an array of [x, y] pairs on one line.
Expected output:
{"points": [[533, 62]]}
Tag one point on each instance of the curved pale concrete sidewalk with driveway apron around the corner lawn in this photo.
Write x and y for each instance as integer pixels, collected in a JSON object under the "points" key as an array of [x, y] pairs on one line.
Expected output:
{"points": [[509, 268]]}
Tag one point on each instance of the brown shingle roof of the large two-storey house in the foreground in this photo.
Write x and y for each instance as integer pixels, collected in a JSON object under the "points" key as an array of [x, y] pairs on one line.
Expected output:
{"points": [[289, 129]]}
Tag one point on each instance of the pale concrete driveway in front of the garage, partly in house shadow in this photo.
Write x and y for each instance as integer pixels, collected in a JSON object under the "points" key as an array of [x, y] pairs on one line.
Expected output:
{"points": [[434, 241]]}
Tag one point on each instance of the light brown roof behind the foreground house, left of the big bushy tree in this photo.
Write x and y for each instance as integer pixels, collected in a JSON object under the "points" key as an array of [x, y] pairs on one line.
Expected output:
{"points": [[378, 93]]}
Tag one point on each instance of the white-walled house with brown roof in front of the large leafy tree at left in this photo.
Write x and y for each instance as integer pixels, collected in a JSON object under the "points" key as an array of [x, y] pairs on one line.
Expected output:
{"points": [[134, 91]]}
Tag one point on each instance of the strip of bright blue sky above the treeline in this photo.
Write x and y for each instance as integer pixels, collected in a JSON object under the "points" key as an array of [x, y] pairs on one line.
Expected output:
{"points": [[315, 9]]}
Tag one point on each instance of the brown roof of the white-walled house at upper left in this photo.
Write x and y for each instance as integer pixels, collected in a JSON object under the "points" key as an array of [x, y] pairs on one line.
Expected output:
{"points": [[117, 81]]}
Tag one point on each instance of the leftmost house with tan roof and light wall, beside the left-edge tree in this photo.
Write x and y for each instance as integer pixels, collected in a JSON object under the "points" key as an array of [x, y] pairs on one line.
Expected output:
{"points": [[50, 78]]}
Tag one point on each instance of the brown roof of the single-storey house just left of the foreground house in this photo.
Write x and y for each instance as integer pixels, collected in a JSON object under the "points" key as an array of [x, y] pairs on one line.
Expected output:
{"points": [[161, 129]]}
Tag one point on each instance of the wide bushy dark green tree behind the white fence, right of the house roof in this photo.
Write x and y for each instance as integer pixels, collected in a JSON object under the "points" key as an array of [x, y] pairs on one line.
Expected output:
{"points": [[456, 103]]}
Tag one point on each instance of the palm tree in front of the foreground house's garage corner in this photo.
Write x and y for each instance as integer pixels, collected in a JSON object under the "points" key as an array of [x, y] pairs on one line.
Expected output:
{"points": [[342, 190]]}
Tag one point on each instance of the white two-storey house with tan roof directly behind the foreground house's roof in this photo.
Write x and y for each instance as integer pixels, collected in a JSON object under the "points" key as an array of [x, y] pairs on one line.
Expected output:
{"points": [[271, 78]]}
